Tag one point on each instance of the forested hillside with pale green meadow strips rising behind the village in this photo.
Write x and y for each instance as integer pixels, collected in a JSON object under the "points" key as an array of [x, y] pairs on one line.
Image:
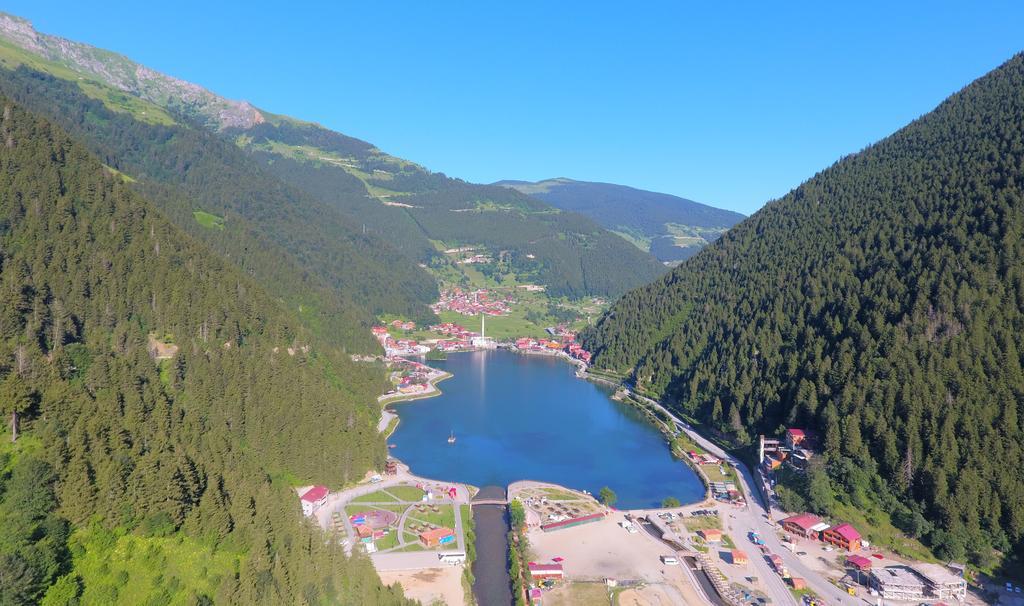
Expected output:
{"points": [[421, 212]]}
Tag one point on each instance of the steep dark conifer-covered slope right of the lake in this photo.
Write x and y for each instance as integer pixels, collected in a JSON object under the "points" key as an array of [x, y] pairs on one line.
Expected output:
{"points": [[881, 304]]}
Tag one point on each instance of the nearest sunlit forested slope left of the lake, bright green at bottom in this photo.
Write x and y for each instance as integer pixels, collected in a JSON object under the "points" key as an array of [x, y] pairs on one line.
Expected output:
{"points": [[179, 454]]}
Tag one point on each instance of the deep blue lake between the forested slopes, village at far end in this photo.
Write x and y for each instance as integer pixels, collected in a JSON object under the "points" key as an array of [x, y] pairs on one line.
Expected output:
{"points": [[529, 418]]}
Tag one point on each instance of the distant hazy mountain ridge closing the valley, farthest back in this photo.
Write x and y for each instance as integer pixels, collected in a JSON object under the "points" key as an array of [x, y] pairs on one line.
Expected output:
{"points": [[670, 228]]}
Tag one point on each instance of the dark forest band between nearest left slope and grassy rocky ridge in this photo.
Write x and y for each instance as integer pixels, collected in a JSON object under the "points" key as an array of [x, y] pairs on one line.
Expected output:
{"points": [[307, 253]]}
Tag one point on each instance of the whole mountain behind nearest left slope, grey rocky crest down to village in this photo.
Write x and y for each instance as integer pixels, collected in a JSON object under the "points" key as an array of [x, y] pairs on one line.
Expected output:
{"points": [[329, 207]]}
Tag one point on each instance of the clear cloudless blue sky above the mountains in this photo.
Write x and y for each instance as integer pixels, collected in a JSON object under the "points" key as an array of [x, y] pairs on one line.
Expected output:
{"points": [[728, 104]]}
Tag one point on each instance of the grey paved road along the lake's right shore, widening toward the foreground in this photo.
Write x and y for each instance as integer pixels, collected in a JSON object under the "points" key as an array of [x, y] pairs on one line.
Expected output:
{"points": [[753, 518]]}
